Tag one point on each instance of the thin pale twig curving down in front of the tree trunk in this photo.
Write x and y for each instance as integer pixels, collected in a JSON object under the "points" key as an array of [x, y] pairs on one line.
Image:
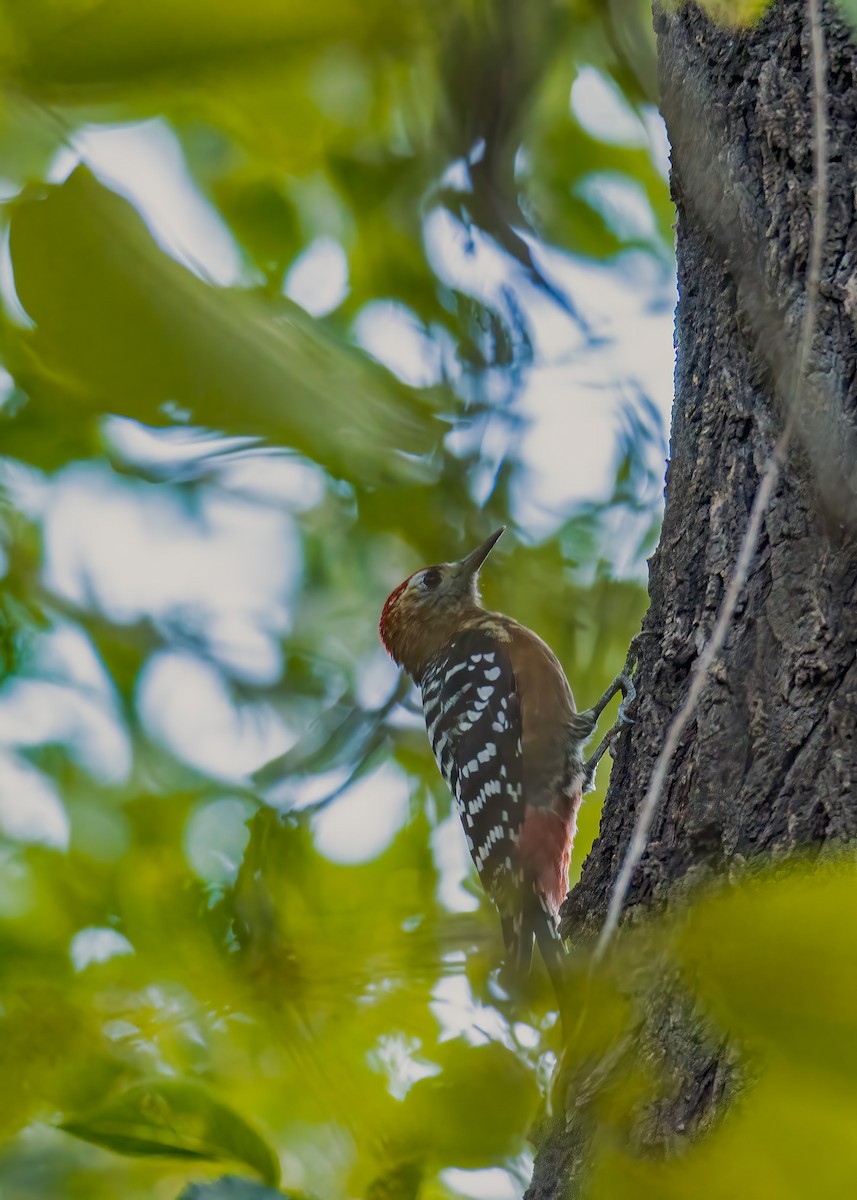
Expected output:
{"points": [[770, 478]]}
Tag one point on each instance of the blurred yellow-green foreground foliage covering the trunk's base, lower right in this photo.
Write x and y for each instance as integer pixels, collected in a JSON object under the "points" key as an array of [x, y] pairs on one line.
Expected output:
{"points": [[775, 967]]}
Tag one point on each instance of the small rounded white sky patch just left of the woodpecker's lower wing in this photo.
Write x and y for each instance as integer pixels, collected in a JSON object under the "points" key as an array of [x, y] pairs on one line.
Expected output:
{"points": [[363, 823]]}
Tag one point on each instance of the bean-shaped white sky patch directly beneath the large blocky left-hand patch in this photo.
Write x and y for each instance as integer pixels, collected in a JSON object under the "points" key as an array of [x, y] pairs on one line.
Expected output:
{"points": [[185, 705]]}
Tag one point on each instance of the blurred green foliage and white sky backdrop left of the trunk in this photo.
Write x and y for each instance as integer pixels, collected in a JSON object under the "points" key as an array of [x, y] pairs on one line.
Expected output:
{"points": [[297, 298]]}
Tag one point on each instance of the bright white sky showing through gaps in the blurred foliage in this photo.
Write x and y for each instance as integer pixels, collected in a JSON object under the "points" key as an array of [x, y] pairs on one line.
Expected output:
{"points": [[129, 545]]}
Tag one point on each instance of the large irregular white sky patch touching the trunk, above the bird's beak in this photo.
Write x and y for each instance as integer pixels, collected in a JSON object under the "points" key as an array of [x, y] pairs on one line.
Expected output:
{"points": [[571, 399]]}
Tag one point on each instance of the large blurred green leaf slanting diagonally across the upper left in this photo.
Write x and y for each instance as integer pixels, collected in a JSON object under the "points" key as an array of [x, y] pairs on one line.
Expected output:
{"points": [[122, 327]]}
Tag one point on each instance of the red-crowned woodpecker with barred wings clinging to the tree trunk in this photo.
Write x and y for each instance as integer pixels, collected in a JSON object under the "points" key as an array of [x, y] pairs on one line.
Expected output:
{"points": [[508, 740]]}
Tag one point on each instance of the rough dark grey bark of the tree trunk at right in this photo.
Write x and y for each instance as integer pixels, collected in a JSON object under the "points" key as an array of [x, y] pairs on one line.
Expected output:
{"points": [[770, 765]]}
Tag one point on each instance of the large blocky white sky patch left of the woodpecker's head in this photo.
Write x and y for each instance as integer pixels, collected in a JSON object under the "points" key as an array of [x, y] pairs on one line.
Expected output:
{"points": [[226, 568]]}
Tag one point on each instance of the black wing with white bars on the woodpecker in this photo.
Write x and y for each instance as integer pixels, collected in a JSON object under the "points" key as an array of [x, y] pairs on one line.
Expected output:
{"points": [[474, 717]]}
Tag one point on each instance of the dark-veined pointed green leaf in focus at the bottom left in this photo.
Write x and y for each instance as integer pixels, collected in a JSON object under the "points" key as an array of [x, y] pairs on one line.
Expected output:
{"points": [[178, 1120]]}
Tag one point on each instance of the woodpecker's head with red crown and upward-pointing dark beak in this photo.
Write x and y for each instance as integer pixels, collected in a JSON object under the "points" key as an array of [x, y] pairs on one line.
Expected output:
{"points": [[424, 611]]}
